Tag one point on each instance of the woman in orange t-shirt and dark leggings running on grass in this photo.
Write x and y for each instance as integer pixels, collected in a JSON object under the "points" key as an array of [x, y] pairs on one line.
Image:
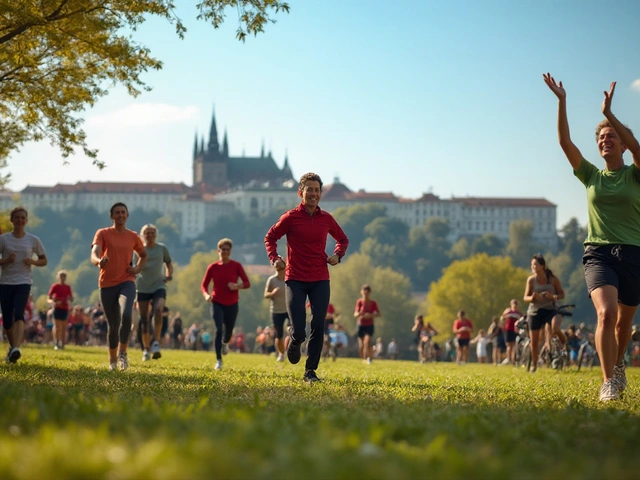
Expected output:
{"points": [[112, 251]]}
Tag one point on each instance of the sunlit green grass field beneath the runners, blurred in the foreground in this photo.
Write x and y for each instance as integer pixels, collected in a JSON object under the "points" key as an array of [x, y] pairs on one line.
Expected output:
{"points": [[63, 415]]}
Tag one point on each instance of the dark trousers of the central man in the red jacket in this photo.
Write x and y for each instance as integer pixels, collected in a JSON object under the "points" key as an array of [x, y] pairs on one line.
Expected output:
{"points": [[296, 295]]}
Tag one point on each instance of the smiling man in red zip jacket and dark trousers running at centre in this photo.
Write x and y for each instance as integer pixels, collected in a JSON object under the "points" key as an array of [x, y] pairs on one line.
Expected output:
{"points": [[307, 274]]}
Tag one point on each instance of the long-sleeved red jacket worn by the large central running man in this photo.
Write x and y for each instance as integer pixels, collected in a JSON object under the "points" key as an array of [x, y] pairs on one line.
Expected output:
{"points": [[306, 243]]}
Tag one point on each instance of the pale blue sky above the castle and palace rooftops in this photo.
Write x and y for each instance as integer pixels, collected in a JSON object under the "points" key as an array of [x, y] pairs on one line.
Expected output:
{"points": [[400, 96]]}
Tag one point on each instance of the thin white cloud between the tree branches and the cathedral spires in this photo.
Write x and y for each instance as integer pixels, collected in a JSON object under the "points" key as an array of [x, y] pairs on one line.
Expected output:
{"points": [[142, 115]]}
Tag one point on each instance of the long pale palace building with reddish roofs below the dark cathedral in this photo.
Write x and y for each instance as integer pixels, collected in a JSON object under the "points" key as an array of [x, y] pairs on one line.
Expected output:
{"points": [[195, 208]]}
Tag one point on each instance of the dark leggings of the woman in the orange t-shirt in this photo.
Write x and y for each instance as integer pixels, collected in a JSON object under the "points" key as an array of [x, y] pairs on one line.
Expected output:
{"points": [[117, 303]]}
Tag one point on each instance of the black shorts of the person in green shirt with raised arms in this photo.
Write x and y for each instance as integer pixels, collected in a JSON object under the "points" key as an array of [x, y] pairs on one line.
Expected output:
{"points": [[616, 265]]}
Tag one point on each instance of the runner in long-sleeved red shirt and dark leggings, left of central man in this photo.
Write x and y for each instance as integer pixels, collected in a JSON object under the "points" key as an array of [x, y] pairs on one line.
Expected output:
{"points": [[224, 274]]}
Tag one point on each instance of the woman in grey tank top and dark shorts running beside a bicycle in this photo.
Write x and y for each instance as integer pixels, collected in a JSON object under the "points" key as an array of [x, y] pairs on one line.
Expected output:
{"points": [[542, 291]]}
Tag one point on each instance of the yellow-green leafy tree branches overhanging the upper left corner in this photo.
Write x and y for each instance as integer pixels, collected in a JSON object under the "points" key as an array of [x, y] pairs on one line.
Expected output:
{"points": [[57, 57]]}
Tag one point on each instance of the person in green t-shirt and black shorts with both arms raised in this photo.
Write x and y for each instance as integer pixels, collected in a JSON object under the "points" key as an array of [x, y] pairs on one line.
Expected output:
{"points": [[612, 248]]}
